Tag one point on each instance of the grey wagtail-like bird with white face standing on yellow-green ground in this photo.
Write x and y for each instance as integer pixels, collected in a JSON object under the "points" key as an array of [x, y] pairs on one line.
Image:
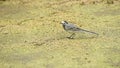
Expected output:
{"points": [[71, 28]]}
